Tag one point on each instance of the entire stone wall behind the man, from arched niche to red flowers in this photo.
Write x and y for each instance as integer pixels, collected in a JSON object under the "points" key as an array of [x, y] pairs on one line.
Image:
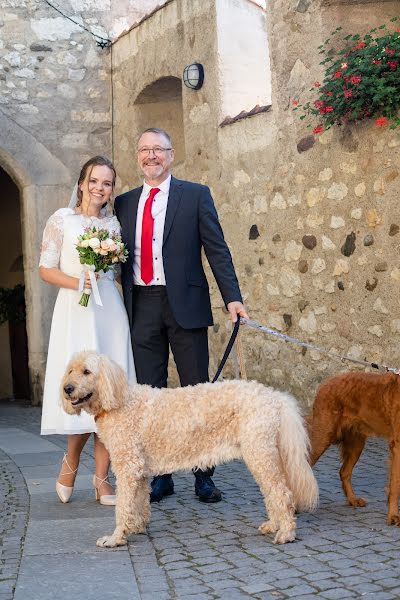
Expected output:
{"points": [[314, 233]]}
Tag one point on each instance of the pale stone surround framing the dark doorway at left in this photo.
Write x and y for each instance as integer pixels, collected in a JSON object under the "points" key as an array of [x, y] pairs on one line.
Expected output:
{"points": [[43, 182]]}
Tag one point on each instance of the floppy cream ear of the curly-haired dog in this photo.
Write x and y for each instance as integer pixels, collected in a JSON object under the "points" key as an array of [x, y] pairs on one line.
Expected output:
{"points": [[112, 384]]}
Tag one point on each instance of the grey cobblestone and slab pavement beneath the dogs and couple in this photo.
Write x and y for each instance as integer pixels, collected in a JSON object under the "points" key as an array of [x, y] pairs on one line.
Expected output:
{"points": [[197, 551]]}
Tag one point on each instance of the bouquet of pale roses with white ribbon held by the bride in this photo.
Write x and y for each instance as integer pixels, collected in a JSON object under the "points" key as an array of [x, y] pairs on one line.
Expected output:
{"points": [[99, 250]]}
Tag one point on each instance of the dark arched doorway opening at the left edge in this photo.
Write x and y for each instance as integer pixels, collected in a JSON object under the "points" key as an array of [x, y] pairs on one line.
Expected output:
{"points": [[14, 373]]}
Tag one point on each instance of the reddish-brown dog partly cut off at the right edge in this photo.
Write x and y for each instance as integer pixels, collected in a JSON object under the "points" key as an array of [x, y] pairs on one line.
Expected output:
{"points": [[347, 410]]}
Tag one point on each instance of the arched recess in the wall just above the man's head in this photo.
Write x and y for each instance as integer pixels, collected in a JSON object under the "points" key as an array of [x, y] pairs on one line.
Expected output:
{"points": [[160, 105]]}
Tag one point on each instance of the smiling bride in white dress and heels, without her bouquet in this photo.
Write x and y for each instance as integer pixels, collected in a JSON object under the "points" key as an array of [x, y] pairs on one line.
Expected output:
{"points": [[74, 327]]}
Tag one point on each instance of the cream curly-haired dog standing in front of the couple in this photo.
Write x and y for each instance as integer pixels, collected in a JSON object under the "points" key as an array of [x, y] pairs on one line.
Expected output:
{"points": [[150, 431]]}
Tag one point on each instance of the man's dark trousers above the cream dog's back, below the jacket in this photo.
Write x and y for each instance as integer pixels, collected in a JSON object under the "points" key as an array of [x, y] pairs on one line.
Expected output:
{"points": [[154, 330]]}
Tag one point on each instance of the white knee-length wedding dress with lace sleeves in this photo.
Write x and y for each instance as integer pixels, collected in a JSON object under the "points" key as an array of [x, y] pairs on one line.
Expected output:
{"points": [[75, 327]]}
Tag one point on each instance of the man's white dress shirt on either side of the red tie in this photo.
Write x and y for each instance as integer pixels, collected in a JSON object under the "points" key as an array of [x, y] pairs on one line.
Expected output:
{"points": [[158, 211]]}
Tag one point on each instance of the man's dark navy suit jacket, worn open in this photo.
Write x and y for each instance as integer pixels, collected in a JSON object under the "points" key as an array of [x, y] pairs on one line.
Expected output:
{"points": [[191, 223]]}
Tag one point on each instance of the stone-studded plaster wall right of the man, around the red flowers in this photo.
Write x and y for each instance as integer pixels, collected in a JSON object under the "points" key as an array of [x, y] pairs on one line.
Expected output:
{"points": [[319, 248]]}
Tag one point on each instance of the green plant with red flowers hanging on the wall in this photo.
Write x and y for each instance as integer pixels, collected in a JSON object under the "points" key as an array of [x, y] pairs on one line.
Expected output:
{"points": [[362, 80]]}
